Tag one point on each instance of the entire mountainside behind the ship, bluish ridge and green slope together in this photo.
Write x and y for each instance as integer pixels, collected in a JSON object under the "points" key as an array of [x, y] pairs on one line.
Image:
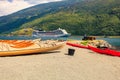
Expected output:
{"points": [[79, 17]]}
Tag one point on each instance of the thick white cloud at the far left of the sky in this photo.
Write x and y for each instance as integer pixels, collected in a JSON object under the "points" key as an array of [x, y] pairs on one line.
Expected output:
{"points": [[8, 7]]}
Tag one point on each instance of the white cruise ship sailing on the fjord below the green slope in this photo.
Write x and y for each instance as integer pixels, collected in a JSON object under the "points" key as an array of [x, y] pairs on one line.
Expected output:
{"points": [[50, 34]]}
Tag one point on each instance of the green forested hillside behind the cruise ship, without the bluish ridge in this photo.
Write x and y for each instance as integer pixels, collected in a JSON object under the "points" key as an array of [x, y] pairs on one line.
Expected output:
{"points": [[91, 17]]}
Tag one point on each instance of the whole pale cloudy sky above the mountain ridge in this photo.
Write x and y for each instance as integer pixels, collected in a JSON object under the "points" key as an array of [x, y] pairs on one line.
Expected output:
{"points": [[11, 6]]}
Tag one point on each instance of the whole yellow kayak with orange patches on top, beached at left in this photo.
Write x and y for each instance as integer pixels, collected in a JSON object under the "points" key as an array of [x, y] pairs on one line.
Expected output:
{"points": [[20, 47]]}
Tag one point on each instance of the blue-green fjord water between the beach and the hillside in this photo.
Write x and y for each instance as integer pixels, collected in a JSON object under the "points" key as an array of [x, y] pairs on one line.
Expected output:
{"points": [[112, 41]]}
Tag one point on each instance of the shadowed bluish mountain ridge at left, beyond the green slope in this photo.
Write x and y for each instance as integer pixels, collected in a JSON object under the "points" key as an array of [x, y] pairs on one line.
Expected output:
{"points": [[15, 20]]}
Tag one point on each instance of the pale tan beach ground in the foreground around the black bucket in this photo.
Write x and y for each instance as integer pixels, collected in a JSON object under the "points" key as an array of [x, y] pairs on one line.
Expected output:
{"points": [[57, 65]]}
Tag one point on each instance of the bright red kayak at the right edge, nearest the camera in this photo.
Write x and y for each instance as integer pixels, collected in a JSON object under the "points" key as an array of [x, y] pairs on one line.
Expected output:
{"points": [[105, 51]]}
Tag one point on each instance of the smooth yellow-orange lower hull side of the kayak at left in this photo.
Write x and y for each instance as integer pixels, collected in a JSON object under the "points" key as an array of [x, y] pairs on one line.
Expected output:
{"points": [[29, 51]]}
